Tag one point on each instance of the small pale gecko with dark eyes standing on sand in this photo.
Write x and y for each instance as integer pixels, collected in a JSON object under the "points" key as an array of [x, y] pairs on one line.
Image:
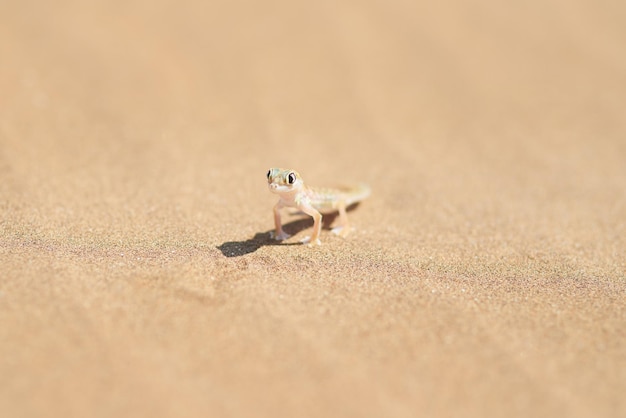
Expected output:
{"points": [[313, 201]]}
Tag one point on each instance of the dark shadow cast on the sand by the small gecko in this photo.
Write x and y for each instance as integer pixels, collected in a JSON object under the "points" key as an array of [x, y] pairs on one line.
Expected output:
{"points": [[260, 239]]}
